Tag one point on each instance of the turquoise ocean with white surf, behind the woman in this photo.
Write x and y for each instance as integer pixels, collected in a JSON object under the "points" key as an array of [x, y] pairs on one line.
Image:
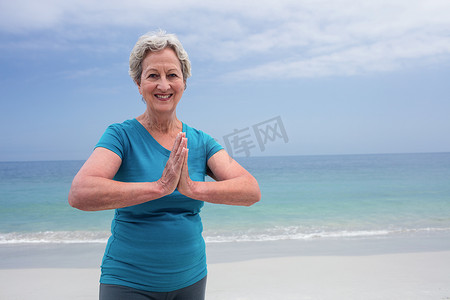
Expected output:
{"points": [[303, 198]]}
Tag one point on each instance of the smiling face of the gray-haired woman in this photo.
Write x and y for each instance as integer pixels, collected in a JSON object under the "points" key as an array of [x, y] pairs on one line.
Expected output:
{"points": [[162, 83]]}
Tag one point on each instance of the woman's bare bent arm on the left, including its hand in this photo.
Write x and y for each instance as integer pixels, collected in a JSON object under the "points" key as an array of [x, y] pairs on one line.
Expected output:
{"points": [[93, 188]]}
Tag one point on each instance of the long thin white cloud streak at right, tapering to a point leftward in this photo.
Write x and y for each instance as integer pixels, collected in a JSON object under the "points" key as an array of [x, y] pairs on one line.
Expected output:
{"points": [[385, 55]]}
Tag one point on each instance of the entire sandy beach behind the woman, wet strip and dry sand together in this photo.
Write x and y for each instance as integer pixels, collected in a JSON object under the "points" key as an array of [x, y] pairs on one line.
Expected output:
{"points": [[358, 269]]}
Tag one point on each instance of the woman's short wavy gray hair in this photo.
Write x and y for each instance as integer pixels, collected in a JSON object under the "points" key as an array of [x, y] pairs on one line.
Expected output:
{"points": [[153, 42]]}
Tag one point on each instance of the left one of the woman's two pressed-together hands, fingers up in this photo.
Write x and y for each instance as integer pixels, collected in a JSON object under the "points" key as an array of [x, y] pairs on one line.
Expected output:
{"points": [[173, 169]]}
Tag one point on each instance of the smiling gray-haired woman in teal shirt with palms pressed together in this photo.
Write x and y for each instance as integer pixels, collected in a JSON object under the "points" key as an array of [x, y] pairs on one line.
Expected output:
{"points": [[151, 170]]}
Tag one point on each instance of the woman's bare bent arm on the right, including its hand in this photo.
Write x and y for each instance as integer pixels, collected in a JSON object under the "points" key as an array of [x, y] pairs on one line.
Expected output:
{"points": [[234, 185]]}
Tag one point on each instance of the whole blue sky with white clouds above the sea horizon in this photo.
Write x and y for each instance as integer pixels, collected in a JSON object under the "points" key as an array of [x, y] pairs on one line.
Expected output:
{"points": [[344, 76]]}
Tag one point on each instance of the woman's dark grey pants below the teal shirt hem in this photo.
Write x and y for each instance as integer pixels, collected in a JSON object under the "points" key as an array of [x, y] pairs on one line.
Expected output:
{"points": [[119, 292]]}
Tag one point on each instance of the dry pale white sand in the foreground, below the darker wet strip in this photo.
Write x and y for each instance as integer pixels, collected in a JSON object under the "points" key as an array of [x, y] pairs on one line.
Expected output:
{"points": [[390, 276]]}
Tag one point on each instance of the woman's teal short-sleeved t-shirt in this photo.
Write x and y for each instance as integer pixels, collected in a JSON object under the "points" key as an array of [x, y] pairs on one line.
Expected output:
{"points": [[157, 245]]}
